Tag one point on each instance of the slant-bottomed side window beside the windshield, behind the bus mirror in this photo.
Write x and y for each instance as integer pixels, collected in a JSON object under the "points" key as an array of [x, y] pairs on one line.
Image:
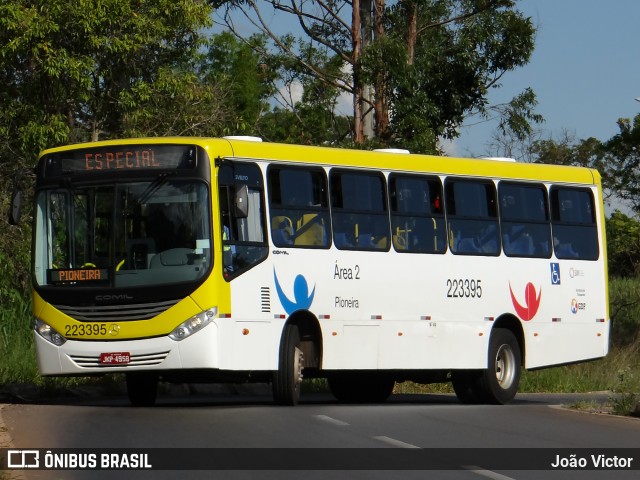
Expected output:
{"points": [[242, 217]]}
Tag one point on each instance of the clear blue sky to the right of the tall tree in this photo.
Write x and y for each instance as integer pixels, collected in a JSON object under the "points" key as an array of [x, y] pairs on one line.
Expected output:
{"points": [[585, 71]]}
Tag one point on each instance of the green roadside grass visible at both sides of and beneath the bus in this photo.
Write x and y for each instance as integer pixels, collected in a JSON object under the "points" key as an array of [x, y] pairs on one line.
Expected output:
{"points": [[618, 373]]}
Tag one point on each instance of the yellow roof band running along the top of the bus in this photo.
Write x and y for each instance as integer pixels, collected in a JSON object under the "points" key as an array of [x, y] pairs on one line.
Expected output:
{"points": [[382, 160]]}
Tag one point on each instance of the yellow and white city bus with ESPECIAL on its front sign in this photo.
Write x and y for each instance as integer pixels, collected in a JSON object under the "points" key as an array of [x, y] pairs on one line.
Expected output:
{"points": [[230, 259]]}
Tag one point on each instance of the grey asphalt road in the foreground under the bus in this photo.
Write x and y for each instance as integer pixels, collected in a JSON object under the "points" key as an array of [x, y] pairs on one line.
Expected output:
{"points": [[193, 428]]}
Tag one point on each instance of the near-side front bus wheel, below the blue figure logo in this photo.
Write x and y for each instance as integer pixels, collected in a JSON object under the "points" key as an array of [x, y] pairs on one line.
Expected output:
{"points": [[288, 378]]}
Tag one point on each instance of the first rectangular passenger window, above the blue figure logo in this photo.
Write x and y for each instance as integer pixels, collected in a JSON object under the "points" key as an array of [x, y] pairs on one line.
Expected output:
{"points": [[299, 211]]}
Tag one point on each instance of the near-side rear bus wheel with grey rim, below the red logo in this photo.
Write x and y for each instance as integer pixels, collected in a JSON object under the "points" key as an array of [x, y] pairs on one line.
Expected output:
{"points": [[499, 382]]}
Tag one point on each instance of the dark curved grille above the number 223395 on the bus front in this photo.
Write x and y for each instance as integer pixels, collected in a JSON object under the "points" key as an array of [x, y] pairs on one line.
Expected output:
{"points": [[116, 313]]}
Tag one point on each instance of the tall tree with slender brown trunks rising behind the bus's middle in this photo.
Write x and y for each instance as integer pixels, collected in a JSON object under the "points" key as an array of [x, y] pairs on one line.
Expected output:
{"points": [[417, 67]]}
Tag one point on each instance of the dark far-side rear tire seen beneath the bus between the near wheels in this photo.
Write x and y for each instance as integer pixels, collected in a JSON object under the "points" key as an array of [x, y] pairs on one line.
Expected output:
{"points": [[361, 387]]}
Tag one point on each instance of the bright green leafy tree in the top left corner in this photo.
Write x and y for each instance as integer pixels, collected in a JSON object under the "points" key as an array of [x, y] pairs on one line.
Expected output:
{"points": [[77, 70]]}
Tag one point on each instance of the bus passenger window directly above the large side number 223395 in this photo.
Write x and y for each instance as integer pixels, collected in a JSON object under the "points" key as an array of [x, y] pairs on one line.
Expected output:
{"points": [[472, 217]]}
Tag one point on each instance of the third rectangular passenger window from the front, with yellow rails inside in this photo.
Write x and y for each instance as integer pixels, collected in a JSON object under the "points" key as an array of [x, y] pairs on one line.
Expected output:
{"points": [[417, 214]]}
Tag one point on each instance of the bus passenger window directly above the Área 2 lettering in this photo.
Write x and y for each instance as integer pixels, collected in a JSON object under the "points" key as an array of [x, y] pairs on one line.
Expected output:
{"points": [[359, 213]]}
